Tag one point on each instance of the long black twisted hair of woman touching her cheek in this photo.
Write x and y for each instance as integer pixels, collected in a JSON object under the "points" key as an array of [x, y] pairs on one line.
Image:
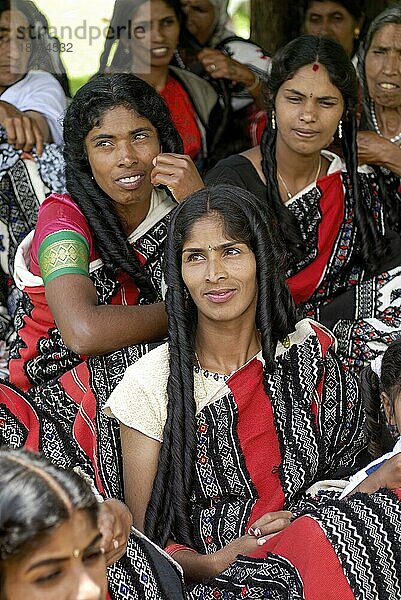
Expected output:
{"points": [[101, 94]]}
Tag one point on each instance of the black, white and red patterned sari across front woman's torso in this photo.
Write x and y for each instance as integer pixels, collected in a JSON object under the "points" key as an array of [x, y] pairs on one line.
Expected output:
{"points": [[260, 445]]}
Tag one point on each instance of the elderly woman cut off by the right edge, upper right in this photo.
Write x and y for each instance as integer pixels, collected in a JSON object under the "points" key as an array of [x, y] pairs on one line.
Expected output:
{"points": [[380, 75]]}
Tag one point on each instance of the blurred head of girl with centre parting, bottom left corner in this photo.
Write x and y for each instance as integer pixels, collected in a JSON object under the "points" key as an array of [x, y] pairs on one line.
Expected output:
{"points": [[50, 544]]}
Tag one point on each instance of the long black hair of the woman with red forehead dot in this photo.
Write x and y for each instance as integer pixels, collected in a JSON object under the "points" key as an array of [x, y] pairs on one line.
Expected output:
{"points": [[303, 51]]}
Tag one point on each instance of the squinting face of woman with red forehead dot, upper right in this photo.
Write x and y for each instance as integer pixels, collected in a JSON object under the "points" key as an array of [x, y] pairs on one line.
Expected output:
{"points": [[308, 109]]}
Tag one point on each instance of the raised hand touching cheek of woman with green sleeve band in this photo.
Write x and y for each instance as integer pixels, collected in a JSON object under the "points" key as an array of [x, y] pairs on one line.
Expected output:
{"points": [[178, 173]]}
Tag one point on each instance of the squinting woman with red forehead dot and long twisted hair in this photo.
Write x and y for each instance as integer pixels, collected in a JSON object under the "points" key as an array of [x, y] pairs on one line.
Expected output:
{"points": [[343, 261]]}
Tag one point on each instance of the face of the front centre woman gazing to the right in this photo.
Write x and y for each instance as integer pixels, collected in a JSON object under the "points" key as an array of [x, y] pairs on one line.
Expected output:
{"points": [[219, 273]]}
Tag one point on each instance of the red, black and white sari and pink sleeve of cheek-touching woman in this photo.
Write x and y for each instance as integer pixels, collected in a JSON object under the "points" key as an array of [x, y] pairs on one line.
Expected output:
{"points": [[68, 388]]}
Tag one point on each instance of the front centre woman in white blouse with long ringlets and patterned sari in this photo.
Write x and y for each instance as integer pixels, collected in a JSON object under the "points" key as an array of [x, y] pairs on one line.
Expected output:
{"points": [[225, 426]]}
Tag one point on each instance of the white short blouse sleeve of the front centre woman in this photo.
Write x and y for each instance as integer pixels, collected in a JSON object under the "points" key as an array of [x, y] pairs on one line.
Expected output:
{"points": [[140, 400]]}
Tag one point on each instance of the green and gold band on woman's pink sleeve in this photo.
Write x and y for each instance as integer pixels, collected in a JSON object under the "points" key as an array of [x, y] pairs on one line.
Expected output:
{"points": [[61, 253]]}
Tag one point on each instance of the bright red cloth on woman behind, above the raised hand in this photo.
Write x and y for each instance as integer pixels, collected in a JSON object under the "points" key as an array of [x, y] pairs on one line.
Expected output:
{"points": [[183, 116]]}
